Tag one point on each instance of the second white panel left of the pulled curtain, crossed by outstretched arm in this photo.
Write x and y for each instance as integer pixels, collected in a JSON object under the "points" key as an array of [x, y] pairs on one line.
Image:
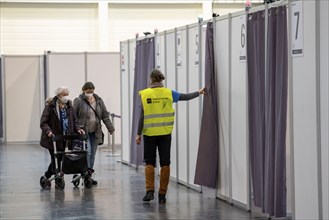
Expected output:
{"points": [[181, 112]]}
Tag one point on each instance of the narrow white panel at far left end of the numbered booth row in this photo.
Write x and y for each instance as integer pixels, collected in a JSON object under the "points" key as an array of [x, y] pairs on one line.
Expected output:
{"points": [[125, 100]]}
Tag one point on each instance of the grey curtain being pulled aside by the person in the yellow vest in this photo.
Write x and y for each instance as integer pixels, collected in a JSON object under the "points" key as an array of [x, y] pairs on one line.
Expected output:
{"points": [[207, 160]]}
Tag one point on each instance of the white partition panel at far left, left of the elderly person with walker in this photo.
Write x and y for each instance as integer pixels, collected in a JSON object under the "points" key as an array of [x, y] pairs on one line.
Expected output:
{"points": [[23, 94]]}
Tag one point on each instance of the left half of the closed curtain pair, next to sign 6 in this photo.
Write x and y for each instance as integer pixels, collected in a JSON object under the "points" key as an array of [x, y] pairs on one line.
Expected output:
{"points": [[256, 82]]}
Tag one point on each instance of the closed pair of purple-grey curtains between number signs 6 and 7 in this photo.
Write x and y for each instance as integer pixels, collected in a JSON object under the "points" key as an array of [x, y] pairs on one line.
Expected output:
{"points": [[268, 109]]}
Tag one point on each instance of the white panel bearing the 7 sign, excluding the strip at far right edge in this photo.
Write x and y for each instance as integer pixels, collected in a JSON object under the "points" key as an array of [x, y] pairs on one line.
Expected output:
{"points": [[304, 118]]}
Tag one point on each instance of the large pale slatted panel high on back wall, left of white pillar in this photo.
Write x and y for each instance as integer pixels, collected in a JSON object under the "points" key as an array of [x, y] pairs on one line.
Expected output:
{"points": [[32, 28]]}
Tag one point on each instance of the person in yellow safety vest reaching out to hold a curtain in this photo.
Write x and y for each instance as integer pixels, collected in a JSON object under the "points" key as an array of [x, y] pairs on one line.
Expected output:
{"points": [[156, 122]]}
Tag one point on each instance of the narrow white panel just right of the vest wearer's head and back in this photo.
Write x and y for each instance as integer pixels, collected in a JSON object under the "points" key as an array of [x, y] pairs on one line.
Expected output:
{"points": [[171, 84]]}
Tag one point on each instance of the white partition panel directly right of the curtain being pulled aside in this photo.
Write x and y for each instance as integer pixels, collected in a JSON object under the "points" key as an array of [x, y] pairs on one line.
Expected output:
{"points": [[222, 47]]}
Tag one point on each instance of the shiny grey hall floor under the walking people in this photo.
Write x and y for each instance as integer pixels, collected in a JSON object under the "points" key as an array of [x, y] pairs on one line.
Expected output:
{"points": [[117, 196]]}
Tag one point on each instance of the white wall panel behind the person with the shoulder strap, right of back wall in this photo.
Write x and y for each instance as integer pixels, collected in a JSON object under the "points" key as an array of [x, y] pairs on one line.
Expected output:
{"points": [[103, 69]]}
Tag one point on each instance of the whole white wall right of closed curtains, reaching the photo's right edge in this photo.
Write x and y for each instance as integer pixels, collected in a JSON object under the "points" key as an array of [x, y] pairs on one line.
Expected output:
{"points": [[310, 114]]}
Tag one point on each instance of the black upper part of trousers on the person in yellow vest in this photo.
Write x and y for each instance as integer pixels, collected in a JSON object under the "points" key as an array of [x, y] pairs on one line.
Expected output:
{"points": [[151, 144]]}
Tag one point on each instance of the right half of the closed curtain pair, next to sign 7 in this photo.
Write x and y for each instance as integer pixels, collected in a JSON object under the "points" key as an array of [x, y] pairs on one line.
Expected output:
{"points": [[276, 114]]}
